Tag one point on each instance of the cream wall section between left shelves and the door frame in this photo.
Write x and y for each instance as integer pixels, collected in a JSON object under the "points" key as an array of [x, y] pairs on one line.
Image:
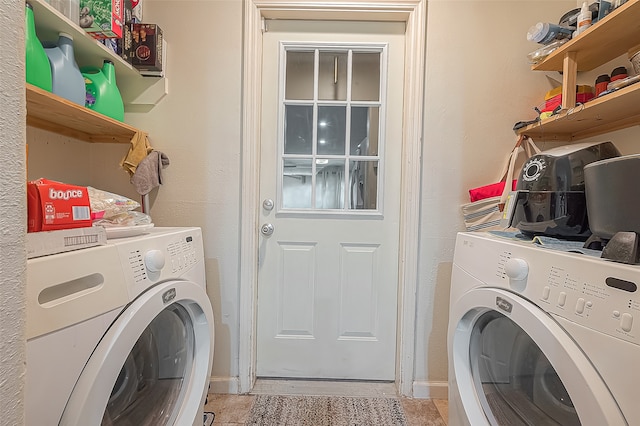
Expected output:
{"points": [[198, 126]]}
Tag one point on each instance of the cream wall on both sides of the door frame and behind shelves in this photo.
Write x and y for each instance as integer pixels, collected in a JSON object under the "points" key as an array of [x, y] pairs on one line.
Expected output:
{"points": [[478, 85]]}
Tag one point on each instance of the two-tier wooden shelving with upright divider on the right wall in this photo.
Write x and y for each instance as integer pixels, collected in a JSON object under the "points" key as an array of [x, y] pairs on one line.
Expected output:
{"points": [[608, 39]]}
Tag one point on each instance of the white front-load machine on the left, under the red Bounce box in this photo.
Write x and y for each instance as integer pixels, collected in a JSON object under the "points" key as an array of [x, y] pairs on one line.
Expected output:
{"points": [[120, 334]]}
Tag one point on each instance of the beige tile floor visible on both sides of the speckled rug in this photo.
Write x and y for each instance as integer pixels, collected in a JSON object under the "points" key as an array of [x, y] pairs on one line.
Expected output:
{"points": [[234, 410]]}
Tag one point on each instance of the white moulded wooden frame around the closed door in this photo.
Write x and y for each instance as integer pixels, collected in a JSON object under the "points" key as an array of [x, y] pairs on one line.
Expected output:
{"points": [[413, 13]]}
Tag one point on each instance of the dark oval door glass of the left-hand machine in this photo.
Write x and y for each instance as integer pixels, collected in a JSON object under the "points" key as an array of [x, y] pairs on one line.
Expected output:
{"points": [[150, 384]]}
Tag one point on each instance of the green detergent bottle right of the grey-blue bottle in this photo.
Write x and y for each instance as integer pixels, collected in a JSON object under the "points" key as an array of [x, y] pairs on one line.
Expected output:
{"points": [[102, 94]]}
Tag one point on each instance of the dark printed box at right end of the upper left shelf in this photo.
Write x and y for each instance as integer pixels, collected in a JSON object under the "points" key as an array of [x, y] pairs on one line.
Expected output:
{"points": [[147, 47]]}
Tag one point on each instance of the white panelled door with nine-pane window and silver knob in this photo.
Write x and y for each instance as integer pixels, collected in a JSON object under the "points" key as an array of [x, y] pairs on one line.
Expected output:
{"points": [[330, 180]]}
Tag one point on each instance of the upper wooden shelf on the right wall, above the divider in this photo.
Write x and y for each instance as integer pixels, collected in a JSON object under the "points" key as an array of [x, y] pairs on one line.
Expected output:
{"points": [[607, 39]]}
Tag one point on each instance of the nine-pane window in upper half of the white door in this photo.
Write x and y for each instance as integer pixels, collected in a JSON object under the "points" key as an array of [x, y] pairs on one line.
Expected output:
{"points": [[332, 104]]}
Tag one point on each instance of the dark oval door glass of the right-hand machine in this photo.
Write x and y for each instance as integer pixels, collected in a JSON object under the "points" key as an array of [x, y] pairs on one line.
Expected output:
{"points": [[514, 380]]}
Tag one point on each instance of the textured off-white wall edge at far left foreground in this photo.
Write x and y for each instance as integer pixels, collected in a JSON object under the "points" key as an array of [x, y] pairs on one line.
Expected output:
{"points": [[13, 213]]}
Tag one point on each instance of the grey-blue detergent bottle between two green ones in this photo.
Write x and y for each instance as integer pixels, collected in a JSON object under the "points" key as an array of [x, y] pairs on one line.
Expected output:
{"points": [[67, 81]]}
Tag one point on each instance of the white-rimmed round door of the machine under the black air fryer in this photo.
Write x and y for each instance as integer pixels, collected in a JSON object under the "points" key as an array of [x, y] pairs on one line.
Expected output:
{"points": [[514, 365]]}
